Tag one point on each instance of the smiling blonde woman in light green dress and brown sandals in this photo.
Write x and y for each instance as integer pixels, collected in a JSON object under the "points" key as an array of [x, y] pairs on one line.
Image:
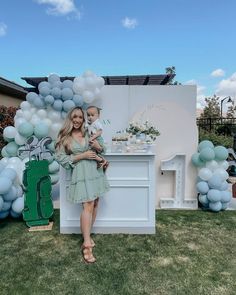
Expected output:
{"points": [[88, 183]]}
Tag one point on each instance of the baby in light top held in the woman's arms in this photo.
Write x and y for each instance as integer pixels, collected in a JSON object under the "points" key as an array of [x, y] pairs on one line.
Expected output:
{"points": [[95, 129]]}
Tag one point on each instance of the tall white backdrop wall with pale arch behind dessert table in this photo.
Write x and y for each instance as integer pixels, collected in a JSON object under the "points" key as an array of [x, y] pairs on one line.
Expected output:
{"points": [[170, 108]]}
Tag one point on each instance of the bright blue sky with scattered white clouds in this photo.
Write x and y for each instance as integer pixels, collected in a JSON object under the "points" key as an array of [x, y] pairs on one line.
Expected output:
{"points": [[122, 37]]}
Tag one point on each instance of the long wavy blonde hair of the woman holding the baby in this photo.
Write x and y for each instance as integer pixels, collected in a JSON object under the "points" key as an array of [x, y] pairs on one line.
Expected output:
{"points": [[65, 134]]}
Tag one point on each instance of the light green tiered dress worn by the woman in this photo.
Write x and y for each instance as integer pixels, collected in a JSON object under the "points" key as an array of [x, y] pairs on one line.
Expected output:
{"points": [[87, 181]]}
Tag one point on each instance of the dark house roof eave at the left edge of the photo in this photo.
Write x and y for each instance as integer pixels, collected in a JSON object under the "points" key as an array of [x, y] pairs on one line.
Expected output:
{"points": [[12, 89]]}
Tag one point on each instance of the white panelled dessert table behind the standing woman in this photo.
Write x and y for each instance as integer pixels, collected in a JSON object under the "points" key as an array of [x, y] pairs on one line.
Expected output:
{"points": [[129, 206]]}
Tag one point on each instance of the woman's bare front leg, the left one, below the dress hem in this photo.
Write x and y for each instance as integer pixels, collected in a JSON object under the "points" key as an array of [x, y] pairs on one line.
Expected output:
{"points": [[86, 218]]}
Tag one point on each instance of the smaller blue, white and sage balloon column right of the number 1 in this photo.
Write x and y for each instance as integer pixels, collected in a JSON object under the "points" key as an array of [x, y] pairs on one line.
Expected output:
{"points": [[212, 184]]}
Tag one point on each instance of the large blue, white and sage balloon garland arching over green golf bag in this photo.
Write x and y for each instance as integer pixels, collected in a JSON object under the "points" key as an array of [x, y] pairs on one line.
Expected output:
{"points": [[41, 115]]}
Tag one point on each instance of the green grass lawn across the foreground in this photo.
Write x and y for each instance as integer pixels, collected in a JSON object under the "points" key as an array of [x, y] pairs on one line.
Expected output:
{"points": [[192, 252]]}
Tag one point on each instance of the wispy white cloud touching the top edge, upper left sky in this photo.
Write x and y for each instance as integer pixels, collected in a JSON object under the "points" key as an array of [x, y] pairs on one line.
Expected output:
{"points": [[60, 7]]}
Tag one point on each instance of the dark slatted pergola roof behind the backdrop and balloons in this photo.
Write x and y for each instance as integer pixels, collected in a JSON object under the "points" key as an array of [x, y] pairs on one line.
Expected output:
{"points": [[115, 80]]}
